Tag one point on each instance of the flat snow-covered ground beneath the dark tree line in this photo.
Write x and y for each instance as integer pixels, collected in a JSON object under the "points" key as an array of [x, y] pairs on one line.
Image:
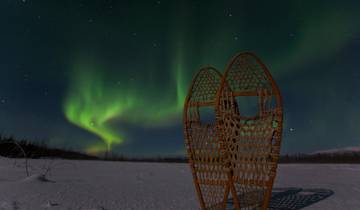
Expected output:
{"points": [[91, 185]]}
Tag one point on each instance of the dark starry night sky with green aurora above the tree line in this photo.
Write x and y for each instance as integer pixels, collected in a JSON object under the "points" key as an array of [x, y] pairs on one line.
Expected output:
{"points": [[88, 75]]}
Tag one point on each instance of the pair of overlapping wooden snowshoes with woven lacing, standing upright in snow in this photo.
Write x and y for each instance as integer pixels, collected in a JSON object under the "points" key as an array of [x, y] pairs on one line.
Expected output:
{"points": [[234, 152]]}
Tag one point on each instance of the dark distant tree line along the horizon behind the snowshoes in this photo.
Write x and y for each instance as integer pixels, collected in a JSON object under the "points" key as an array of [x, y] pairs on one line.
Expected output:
{"points": [[9, 147]]}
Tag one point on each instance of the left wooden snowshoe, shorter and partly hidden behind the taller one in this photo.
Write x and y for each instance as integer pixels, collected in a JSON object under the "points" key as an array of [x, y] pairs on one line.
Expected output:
{"points": [[202, 142]]}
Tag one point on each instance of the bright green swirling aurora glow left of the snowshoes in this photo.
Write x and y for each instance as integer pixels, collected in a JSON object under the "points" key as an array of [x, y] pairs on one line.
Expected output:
{"points": [[93, 105]]}
